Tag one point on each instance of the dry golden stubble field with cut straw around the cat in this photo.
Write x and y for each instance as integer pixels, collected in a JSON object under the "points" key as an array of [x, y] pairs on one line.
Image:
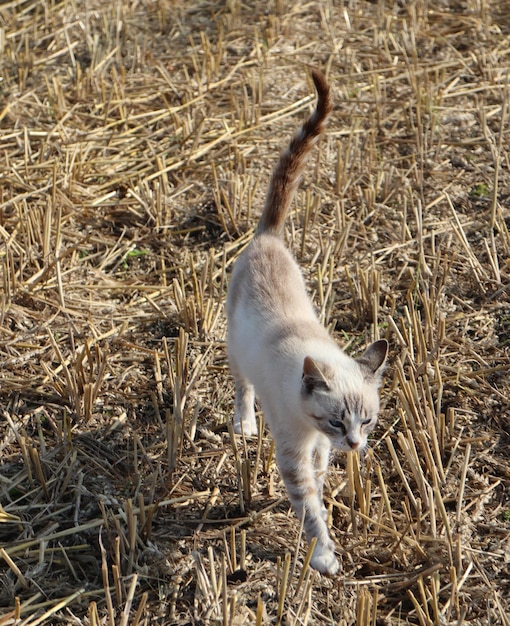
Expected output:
{"points": [[136, 142]]}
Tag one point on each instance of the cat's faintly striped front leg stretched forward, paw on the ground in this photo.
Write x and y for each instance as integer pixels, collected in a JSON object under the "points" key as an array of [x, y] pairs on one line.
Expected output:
{"points": [[299, 477]]}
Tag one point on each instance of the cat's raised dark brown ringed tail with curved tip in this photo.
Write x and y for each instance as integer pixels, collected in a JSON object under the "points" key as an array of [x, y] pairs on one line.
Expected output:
{"points": [[287, 174]]}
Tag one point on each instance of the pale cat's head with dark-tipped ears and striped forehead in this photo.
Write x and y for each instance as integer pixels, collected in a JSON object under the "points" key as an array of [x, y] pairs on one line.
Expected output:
{"points": [[343, 402]]}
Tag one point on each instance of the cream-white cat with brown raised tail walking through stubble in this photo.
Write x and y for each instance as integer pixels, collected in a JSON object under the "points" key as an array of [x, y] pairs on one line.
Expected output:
{"points": [[313, 395]]}
